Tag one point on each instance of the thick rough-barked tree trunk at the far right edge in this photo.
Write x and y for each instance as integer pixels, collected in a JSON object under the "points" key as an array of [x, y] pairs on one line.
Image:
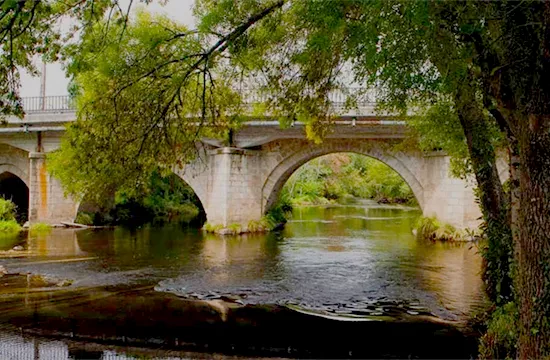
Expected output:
{"points": [[533, 249]]}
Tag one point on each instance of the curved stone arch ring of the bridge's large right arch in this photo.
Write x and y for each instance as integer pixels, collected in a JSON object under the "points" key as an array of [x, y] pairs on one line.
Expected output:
{"points": [[280, 174]]}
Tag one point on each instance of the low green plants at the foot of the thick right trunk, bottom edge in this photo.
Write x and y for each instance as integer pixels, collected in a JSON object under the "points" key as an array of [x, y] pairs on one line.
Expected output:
{"points": [[501, 339]]}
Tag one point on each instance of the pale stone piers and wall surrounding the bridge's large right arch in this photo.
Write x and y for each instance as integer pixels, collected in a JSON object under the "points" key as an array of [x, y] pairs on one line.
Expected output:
{"points": [[237, 186]]}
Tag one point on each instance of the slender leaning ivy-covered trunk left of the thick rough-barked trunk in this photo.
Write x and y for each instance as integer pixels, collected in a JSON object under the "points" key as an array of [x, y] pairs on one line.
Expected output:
{"points": [[494, 204]]}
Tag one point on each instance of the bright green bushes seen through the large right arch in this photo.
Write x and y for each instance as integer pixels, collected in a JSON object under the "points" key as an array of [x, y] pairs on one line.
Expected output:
{"points": [[341, 176]]}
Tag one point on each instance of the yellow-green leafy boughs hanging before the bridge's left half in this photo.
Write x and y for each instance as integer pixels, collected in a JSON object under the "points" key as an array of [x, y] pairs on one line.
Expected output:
{"points": [[143, 100]]}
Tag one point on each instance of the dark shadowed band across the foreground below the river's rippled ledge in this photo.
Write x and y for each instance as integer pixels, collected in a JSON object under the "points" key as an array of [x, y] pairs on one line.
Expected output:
{"points": [[150, 319]]}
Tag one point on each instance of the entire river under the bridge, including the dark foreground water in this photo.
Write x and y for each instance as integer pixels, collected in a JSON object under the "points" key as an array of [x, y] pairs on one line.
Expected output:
{"points": [[333, 272]]}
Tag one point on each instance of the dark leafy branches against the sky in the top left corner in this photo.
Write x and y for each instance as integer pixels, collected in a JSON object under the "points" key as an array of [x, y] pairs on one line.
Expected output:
{"points": [[31, 27]]}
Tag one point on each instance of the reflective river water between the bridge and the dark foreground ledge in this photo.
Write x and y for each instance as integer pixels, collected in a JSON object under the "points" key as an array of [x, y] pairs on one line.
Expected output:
{"points": [[326, 257]]}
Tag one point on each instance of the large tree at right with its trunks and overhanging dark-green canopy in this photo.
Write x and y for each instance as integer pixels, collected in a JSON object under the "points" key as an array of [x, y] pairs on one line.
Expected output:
{"points": [[488, 61]]}
